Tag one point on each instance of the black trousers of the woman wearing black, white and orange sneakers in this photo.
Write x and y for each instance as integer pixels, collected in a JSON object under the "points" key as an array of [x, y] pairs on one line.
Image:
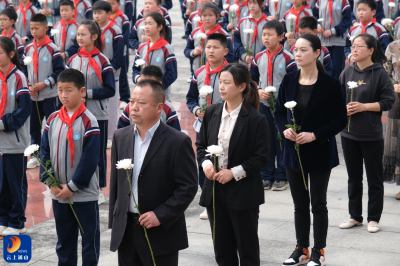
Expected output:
{"points": [[317, 188]]}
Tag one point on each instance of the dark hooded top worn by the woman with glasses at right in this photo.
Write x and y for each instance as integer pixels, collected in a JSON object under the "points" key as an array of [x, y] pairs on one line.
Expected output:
{"points": [[367, 126]]}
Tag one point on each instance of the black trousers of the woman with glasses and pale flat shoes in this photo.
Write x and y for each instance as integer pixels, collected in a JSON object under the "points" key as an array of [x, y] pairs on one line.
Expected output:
{"points": [[355, 154]]}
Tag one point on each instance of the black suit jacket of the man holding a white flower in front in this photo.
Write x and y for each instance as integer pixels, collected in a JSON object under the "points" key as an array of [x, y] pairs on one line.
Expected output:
{"points": [[167, 185]]}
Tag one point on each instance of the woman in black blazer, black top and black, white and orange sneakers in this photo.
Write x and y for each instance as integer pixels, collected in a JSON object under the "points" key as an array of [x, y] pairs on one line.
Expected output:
{"points": [[321, 113]]}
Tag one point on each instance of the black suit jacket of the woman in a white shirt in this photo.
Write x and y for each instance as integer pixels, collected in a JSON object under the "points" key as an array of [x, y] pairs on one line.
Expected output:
{"points": [[248, 146]]}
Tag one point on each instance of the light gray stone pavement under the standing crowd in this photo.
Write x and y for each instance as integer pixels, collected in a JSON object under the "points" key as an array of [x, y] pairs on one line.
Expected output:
{"points": [[351, 247]]}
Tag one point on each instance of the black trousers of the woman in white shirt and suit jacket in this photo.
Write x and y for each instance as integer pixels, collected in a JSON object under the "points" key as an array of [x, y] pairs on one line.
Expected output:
{"points": [[236, 232]]}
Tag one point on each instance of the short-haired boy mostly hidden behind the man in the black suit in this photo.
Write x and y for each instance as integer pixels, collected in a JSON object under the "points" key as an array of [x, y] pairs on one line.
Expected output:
{"points": [[168, 114]]}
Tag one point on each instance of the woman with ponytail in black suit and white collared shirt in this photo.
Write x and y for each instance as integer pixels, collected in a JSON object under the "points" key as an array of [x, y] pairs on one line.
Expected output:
{"points": [[243, 132]]}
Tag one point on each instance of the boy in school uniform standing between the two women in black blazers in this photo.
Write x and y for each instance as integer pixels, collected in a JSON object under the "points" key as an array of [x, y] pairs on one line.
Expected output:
{"points": [[268, 69]]}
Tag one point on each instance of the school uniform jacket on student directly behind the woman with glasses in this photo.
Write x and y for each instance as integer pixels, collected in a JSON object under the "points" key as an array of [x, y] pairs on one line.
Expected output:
{"points": [[375, 29]]}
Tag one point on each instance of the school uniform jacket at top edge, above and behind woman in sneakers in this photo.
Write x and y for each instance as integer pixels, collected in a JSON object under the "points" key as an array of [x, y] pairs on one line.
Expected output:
{"points": [[341, 21]]}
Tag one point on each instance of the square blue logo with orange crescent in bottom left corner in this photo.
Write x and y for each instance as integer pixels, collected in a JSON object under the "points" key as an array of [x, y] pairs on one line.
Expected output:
{"points": [[17, 249]]}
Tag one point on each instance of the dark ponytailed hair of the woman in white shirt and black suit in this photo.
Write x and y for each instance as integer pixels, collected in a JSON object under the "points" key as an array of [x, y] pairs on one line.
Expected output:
{"points": [[241, 75]]}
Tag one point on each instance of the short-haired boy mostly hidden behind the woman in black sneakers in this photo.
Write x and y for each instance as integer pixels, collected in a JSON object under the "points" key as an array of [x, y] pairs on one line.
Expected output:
{"points": [[309, 25]]}
